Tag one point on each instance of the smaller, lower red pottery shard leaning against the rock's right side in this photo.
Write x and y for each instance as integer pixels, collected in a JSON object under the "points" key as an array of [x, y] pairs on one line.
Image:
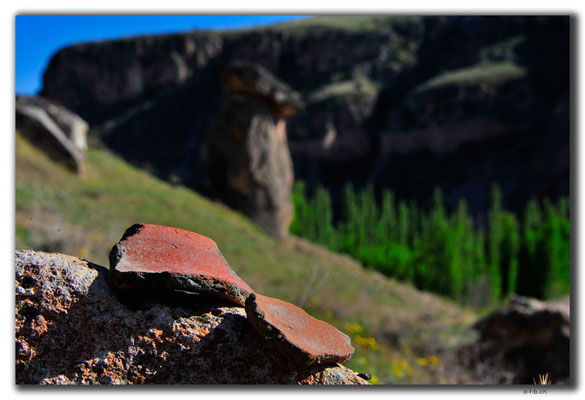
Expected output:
{"points": [[297, 335]]}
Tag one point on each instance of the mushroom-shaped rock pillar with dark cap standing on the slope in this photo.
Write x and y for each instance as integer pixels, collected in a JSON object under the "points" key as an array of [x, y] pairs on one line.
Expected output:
{"points": [[249, 164]]}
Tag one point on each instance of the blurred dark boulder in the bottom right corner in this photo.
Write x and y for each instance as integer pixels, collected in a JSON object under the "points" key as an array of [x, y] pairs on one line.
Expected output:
{"points": [[528, 339]]}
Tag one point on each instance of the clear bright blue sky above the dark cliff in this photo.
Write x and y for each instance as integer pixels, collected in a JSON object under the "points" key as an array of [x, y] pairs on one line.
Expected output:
{"points": [[37, 37]]}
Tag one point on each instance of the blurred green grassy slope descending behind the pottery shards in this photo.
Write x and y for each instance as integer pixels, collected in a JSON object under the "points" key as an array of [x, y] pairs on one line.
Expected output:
{"points": [[396, 329]]}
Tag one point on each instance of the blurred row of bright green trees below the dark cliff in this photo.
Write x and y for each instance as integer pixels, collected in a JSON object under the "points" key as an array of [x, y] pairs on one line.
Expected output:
{"points": [[445, 253]]}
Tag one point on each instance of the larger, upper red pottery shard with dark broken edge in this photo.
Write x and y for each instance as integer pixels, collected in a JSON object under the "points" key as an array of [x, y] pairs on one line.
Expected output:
{"points": [[162, 257]]}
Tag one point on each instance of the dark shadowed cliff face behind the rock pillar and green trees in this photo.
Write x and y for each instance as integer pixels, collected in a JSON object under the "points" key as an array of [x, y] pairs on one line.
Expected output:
{"points": [[394, 102]]}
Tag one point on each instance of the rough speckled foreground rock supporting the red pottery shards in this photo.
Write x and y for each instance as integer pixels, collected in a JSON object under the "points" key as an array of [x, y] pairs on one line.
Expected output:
{"points": [[71, 329]]}
